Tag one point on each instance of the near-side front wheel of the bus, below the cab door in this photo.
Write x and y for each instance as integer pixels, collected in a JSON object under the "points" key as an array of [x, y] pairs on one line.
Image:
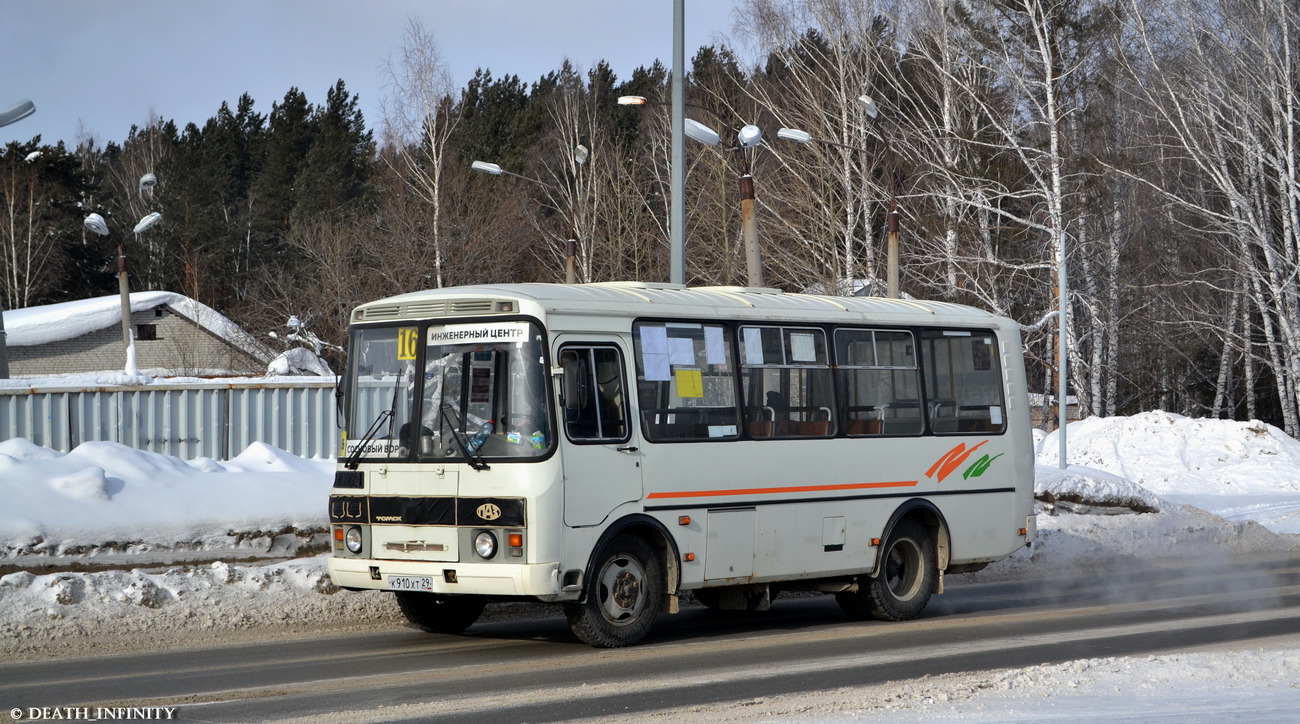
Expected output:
{"points": [[623, 599]]}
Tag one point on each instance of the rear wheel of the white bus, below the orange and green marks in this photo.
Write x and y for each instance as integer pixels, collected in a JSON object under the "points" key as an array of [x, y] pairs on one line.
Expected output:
{"points": [[902, 588]]}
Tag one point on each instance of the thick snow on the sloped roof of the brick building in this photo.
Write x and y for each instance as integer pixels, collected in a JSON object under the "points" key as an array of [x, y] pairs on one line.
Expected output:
{"points": [[68, 320]]}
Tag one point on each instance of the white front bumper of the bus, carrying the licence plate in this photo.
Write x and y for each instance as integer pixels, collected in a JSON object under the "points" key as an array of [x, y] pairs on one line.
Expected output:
{"points": [[465, 579]]}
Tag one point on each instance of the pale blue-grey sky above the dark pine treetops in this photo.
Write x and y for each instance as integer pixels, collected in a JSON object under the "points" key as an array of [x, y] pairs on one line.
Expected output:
{"points": [[99, 67]]}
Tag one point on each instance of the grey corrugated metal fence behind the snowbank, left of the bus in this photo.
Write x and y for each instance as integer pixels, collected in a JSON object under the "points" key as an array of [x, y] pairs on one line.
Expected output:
{"points": [[205, 419]]}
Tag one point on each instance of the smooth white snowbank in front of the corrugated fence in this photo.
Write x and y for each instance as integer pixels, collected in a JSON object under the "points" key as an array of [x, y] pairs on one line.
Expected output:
{"points": [[105, 497]]}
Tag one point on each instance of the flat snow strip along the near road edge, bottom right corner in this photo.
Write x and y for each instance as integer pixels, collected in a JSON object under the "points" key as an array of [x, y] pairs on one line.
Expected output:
{"points": [[1254, 686]]}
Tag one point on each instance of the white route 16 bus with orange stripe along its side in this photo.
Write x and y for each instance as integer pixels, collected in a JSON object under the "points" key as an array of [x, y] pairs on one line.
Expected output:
{"points": [[610, 446]]}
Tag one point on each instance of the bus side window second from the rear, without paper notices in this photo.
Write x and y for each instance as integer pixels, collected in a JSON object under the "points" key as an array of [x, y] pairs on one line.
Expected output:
{"points": [[879, 387]]}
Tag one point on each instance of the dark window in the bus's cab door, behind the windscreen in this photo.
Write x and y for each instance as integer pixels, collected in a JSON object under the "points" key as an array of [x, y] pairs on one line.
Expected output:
{"points": [[593, 401]]}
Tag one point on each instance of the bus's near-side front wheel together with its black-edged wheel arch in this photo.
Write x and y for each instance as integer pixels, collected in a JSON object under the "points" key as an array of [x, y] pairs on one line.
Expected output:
{"points": [[625, 588]]}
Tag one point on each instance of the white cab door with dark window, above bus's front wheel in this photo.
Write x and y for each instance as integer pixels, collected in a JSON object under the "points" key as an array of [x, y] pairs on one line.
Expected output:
{"points": [[600, 444]]}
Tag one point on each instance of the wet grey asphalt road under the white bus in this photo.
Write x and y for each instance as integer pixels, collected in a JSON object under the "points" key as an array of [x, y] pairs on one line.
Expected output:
{"points": [[534, 670]]}
